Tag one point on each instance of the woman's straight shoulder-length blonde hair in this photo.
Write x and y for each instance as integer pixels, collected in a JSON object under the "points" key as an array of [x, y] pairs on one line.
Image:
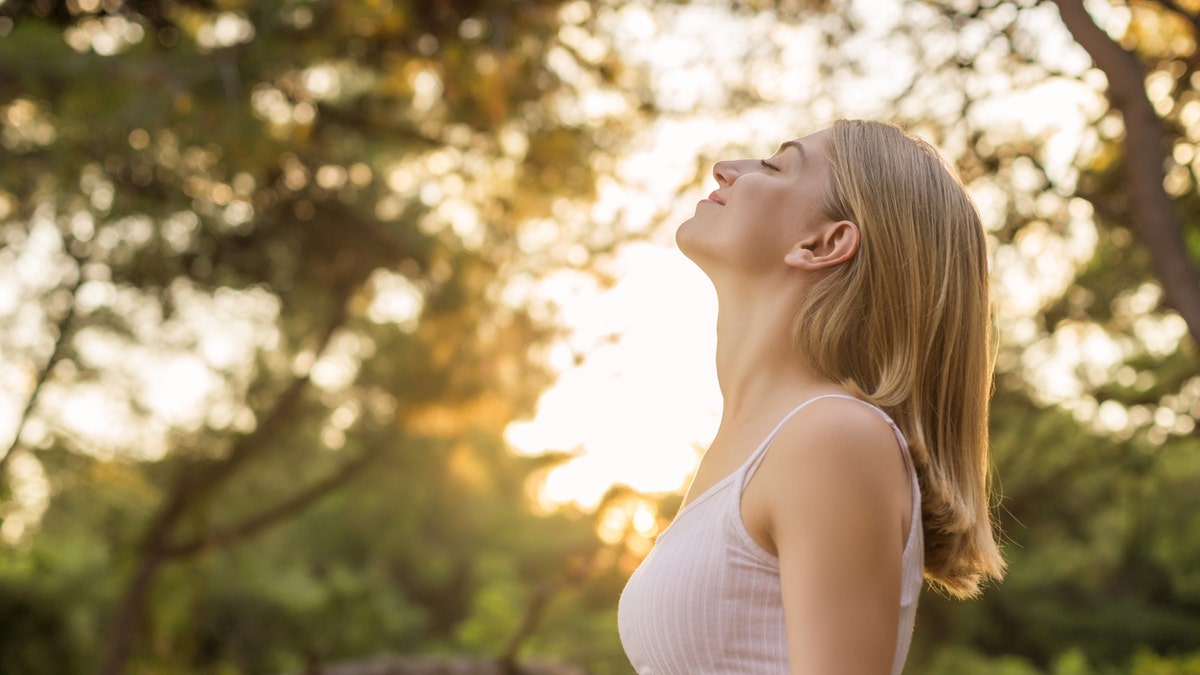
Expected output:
{"points": [[907, 326]]}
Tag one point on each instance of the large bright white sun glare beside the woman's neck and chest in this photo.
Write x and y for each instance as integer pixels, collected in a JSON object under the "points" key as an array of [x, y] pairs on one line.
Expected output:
{"points": [[637, 411]]}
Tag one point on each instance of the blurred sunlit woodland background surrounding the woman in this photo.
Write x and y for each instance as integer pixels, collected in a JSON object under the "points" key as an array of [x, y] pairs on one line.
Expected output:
{"points": [[345, 331]]}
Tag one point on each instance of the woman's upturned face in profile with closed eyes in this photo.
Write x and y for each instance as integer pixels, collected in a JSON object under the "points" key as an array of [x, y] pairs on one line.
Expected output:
{"points": [[760, 210]]}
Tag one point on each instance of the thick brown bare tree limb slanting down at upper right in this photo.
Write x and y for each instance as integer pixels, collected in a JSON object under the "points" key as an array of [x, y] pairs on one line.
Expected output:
{"points": [[1154, 212]]}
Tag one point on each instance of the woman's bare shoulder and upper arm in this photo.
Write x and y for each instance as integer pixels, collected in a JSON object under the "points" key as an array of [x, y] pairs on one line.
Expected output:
{"points": [[833, 499]]}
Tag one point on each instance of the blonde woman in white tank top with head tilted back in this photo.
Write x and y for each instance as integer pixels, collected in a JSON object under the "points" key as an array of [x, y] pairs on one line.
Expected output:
{"points": [[853, 455]]}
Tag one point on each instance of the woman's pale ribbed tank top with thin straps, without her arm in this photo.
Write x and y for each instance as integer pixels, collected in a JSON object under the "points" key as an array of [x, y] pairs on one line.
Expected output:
{"points": [[707, 599]]}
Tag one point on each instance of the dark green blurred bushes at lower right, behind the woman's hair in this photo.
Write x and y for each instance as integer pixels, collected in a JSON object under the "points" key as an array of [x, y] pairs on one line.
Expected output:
{"points": [[1095, 548]]}
